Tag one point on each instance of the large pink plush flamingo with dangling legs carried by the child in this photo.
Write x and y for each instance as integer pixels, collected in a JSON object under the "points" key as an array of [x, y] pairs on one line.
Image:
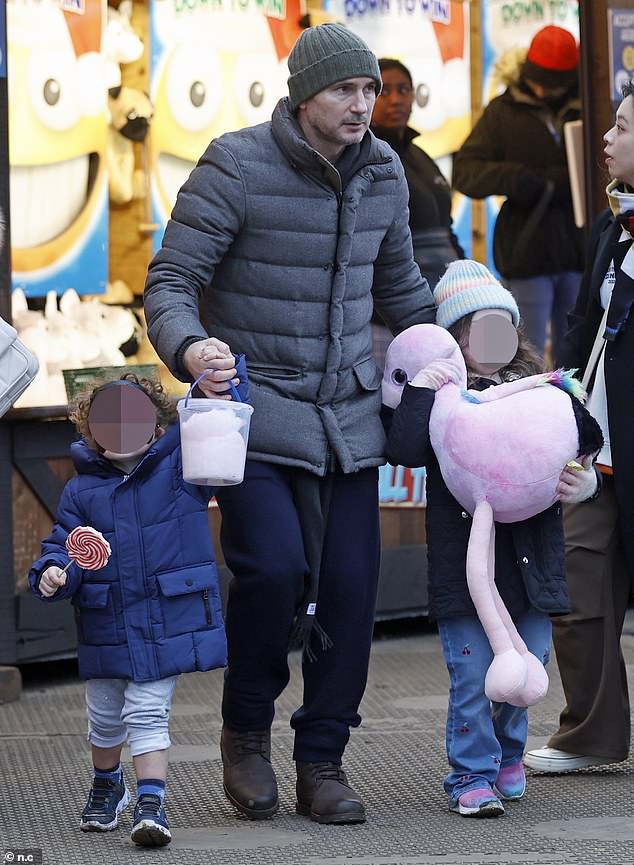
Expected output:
{"points": [[530, 426]]}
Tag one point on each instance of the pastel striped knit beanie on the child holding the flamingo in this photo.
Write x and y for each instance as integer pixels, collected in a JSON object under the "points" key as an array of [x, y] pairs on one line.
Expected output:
{"points": [[467, 286]]}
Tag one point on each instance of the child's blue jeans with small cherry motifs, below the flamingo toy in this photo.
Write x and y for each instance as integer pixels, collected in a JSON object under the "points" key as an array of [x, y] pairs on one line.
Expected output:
{"points": [[482, 737]]}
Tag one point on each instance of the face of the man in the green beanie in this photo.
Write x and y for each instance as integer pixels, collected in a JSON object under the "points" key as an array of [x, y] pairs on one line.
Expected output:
{"points": [[338, 116]]}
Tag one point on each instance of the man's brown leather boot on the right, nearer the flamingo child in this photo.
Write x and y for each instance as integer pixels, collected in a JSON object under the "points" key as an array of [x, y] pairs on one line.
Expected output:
{"points": [[324, 795]]}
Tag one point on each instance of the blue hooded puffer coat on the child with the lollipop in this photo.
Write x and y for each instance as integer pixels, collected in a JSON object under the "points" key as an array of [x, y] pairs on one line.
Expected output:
{"points": [[154, 610]]}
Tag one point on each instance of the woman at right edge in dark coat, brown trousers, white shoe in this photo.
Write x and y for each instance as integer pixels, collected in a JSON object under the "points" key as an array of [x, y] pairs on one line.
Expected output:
{"points": [[595, 723]]}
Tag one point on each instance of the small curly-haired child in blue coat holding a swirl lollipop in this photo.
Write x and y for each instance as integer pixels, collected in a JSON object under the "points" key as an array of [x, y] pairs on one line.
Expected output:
{"points": [[154, 610]]}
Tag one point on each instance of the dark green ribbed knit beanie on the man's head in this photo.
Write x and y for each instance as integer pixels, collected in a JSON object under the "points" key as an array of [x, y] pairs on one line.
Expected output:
{"points": [[324, 55]]}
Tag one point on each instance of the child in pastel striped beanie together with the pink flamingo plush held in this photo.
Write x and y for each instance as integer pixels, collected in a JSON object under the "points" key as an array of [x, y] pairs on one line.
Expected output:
{"points": [[494, 456]]}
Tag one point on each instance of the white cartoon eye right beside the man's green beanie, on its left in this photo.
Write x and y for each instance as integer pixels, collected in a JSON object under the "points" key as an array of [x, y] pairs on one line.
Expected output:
{"points": [[259, 83]]}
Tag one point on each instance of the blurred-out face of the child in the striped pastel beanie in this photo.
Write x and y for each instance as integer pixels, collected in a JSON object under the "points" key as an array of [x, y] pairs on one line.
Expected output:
{"points": [[492, 341]]}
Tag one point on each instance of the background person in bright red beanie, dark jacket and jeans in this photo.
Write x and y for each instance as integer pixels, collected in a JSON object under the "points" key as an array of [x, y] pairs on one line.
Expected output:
{"points": [[517, 150]]}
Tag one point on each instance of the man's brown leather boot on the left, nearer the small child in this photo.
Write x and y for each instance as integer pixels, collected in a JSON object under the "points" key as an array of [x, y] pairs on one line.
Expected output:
{"points": [[249, 779]]}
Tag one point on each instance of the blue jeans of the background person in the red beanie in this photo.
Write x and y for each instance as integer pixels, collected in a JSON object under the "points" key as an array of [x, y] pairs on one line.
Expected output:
{"points": [[544, 299]]}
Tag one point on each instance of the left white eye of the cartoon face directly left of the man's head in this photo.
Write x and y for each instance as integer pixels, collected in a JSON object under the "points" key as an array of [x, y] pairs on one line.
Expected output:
{"points": [[194, 86]]}
